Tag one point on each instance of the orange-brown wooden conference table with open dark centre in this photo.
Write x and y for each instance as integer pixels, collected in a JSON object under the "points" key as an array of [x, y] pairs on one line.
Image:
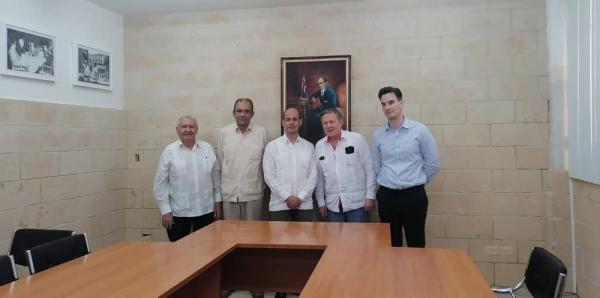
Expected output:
{"points": [[313, 259]]}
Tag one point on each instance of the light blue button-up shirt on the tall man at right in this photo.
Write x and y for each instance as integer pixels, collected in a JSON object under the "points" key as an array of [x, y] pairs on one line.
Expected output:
{"points": [[404, 157]]}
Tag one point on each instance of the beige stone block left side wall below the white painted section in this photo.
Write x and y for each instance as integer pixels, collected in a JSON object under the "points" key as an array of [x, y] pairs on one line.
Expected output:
{"points": [[63, 167]]}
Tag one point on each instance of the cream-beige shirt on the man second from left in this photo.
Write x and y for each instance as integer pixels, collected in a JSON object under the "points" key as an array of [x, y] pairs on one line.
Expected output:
{"points": [[240, 162]]}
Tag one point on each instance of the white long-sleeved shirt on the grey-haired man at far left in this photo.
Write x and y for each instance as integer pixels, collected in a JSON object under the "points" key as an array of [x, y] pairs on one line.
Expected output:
{"points": [[187, 182]]}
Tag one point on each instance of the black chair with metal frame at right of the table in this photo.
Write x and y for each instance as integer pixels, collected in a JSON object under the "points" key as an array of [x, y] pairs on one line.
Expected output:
{"points": [[544, 276]]}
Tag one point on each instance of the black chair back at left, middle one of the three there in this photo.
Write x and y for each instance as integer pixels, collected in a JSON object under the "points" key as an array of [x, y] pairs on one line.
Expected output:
{"points": [[48, 255]]}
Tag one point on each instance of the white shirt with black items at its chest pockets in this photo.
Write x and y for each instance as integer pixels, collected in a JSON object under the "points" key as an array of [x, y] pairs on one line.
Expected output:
{"points": [[345, 173]]}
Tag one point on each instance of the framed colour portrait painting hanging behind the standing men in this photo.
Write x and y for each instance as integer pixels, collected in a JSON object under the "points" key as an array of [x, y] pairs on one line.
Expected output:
{"points": [[313, 84]]}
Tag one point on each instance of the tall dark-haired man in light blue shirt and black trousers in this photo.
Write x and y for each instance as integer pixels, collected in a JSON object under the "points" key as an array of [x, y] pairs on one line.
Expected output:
{"points": [[404, 159]]}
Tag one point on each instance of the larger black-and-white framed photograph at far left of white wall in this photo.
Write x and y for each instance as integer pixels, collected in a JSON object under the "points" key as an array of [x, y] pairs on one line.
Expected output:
{"points": [[29, 54]]}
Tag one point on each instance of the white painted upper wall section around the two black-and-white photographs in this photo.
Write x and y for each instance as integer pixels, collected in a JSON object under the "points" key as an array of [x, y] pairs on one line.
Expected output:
{"points": [[68, 21]]}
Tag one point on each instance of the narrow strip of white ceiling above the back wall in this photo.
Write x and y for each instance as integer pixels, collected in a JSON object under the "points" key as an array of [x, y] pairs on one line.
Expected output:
{"points": [[156, 7]]}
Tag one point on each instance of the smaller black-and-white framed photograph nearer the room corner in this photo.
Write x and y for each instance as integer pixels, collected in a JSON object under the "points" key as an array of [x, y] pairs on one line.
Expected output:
{"points": [[92, 67]]}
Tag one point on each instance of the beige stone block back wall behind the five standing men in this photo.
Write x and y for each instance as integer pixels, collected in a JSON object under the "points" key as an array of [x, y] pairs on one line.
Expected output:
{"points": [[474, 71]]}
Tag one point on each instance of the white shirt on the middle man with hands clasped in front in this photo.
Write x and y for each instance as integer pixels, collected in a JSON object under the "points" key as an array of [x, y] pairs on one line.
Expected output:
{"points": [[290, 170]]}
